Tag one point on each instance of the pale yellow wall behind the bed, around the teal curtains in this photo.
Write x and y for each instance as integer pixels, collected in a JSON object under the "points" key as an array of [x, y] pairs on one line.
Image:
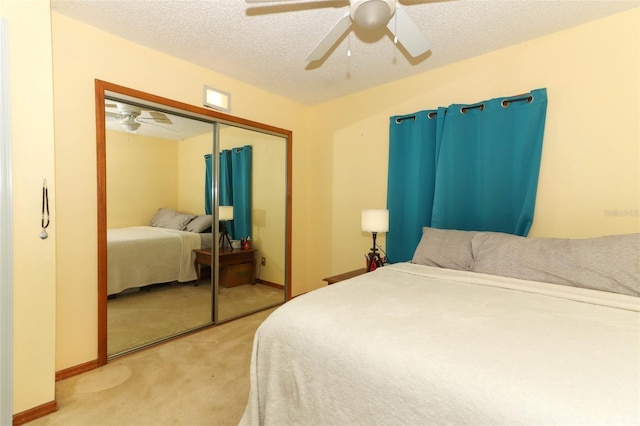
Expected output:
{"points": [[590, 173]]}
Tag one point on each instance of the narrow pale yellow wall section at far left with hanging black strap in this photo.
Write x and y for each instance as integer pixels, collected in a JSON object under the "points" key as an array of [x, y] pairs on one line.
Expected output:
{"points": [[34, 260]]}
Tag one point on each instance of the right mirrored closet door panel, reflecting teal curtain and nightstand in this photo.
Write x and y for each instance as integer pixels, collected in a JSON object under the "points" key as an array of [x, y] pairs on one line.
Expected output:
{"points": [[253, 181]]}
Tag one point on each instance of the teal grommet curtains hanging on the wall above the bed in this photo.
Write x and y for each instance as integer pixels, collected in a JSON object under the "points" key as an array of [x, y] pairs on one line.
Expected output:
{"points": [[479, 171]]}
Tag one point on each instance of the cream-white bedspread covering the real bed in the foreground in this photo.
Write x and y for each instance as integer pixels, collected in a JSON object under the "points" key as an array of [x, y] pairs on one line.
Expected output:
{"points": [[414, 345]]}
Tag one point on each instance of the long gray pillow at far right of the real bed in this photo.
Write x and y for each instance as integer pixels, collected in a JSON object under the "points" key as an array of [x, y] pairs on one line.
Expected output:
{"points": [[608, 263]]}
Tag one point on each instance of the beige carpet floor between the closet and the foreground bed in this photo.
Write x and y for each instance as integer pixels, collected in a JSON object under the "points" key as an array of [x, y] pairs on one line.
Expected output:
{"points": [[199, 379]]}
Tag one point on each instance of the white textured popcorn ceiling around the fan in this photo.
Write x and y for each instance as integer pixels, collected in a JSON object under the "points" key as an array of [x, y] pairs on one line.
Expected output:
{"points": [[266, 44]]}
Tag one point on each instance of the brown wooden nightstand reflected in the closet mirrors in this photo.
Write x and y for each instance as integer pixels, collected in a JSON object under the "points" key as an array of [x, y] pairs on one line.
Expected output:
{"points": [[236, 267]]}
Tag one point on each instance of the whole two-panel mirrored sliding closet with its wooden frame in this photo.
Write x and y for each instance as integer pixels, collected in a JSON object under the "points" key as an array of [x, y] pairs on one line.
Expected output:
{"points": [[194, 218]]}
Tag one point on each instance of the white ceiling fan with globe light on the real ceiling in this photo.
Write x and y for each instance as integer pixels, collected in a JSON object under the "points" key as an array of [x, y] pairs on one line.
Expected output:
{"points": [[371, 14]]}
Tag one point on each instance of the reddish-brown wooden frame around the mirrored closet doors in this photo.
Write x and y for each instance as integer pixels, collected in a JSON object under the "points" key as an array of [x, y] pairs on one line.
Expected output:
{"points": [[101, 88]]}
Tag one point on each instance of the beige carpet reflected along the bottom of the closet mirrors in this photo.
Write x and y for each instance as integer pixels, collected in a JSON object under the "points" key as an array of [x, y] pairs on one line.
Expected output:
{"points": [[141, 317]]}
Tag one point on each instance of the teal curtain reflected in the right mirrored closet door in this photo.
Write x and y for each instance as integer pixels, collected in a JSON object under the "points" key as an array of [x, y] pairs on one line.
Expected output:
{"points": [[235, 189]]}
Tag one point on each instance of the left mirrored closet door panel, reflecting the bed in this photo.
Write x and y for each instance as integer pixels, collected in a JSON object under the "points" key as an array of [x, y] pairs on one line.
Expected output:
{"points": [[154, 194]]}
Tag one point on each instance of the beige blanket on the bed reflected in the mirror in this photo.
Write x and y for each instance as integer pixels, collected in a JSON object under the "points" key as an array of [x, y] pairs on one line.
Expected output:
{"points": [[142, 255]]}
